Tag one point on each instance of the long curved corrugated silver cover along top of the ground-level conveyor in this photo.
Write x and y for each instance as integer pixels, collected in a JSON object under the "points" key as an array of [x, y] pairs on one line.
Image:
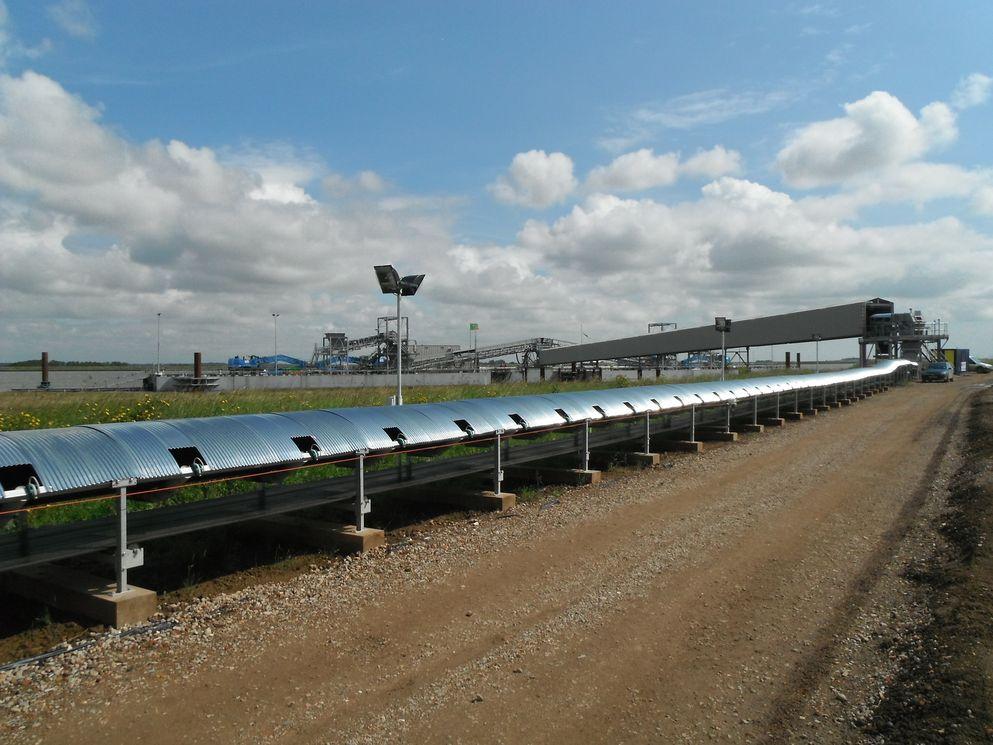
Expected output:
{"points": [[51, 463]]}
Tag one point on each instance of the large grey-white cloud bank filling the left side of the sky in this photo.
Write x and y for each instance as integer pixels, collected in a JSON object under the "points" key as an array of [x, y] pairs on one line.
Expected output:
{"points": [[109, 224]]}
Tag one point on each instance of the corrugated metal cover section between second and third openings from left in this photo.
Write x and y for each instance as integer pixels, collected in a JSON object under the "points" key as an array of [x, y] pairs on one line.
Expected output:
{"points": [[227, 444]]}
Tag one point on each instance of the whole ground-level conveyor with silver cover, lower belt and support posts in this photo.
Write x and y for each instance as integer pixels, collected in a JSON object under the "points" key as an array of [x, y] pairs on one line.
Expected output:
{"points": [[137, 459]]}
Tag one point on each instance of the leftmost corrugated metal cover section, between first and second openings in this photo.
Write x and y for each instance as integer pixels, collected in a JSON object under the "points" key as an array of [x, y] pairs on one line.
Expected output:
{"points": [[74, 458]]}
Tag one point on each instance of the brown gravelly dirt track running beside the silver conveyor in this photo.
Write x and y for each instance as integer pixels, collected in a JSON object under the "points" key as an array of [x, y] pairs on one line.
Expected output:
{"points": [[685, 603]]}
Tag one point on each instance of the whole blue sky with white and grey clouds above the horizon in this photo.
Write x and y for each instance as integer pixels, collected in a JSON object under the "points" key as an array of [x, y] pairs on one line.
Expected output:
{"points": [[549, 166]]}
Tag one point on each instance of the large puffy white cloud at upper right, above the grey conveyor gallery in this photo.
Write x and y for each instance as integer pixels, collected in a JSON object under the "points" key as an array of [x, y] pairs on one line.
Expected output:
{"points": [[876, 132]]}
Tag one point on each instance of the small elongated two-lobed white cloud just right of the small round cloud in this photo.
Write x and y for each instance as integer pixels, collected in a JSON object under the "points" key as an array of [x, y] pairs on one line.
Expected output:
{"points": [[643, 169]]}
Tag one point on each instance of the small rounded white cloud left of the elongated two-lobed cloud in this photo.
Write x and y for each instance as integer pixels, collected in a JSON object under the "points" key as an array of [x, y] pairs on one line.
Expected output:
{"points": [[536, 179]]}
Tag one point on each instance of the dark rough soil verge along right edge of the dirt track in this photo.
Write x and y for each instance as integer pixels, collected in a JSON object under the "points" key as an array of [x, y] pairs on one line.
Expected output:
{"points": [[943, 691]]}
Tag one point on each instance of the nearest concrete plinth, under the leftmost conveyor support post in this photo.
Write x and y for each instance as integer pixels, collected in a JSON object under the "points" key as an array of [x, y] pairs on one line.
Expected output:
{"points": [[83, 594]]}
